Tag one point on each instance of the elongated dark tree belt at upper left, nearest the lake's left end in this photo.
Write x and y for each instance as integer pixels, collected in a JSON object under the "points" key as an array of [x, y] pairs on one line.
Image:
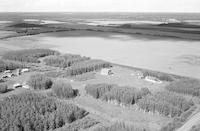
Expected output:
{"points": [[28, 55]]}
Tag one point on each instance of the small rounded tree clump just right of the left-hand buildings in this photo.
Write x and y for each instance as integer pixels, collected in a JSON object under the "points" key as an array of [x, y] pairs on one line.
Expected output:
{"points": [[39, 81]]}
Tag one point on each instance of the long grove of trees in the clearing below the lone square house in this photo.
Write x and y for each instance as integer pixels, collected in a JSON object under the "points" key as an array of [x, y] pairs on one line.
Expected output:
{"points": [[123, 95]]}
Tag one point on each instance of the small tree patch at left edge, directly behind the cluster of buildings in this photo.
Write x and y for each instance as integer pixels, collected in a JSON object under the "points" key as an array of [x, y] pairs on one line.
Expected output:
{"points": [[10, 65]]}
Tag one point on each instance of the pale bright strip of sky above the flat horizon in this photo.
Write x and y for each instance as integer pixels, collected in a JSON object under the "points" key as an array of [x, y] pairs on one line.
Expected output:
{"points": [[100, 5]]}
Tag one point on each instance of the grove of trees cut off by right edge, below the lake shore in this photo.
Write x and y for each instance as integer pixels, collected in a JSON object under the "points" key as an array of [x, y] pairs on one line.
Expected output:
{"points": [[185, 86]]}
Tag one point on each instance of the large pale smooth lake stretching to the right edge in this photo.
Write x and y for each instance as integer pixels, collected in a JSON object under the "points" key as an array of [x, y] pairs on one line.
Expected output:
{"points": [[172, 56]]}
